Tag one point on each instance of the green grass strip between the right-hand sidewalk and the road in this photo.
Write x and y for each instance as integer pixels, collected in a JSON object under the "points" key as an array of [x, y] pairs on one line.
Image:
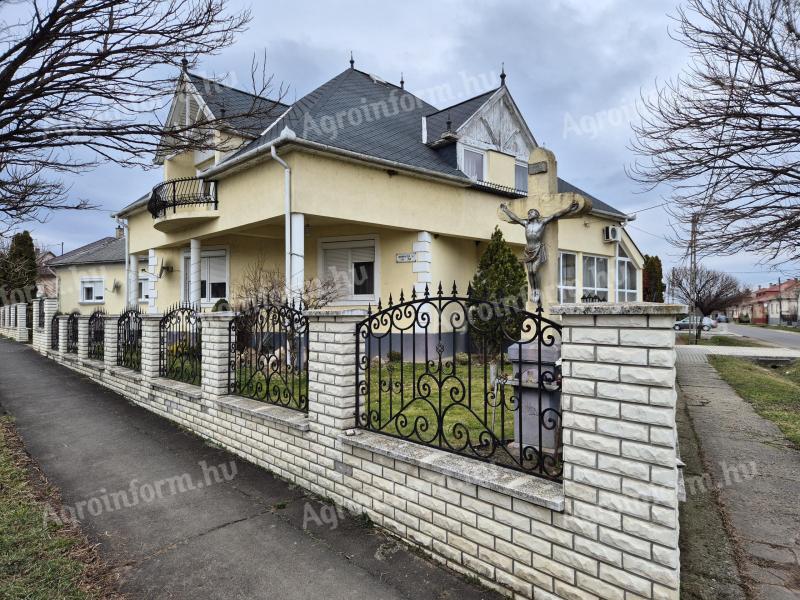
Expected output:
{"points": [[774, 393]]}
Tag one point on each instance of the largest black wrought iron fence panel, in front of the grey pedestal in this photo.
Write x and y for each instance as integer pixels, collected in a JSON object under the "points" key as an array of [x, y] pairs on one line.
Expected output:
{"points": [[464, 375]]}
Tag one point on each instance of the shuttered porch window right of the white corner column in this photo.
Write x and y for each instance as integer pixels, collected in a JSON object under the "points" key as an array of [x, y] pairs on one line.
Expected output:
{"points": [[351, 264]]}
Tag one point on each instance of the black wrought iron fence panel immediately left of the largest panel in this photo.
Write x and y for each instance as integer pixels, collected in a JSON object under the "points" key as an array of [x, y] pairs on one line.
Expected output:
{"points": [[268, 355]]}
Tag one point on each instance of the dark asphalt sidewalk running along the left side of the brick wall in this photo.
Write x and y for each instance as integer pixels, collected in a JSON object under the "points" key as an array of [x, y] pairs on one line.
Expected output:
{"points": [[198, 523]]}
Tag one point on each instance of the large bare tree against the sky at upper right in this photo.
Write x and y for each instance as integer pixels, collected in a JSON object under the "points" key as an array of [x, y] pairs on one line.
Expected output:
{"points": [[725, 134]]}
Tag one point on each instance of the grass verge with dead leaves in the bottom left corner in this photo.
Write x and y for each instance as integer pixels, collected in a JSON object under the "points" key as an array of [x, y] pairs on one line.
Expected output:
{"points": [[40, 558]]}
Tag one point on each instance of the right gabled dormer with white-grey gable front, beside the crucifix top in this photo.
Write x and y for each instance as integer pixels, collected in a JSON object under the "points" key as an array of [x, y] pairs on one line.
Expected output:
{"points": [[485, 137]]}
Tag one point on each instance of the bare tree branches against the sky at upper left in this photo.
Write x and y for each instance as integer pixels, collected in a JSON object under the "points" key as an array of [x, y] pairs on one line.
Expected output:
{"points": [[83, 82]]}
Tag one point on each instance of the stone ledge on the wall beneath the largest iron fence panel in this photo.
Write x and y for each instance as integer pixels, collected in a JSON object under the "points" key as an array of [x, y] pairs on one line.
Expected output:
{"points": [[542, 492]]}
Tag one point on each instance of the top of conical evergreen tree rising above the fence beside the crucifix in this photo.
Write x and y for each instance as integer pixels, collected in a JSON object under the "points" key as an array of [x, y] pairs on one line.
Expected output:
{"points": [[500, 274]]}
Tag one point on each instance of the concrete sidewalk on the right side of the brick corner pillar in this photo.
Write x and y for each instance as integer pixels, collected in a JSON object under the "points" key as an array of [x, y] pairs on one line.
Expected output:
{"points": [[756, 475]]}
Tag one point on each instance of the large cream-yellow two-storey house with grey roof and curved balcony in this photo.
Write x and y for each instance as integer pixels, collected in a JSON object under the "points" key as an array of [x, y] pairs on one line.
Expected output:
{"points": [[362, 181]]}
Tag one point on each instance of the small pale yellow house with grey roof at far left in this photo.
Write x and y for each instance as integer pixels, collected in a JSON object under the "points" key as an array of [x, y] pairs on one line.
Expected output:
{"points": [[92, 278]]}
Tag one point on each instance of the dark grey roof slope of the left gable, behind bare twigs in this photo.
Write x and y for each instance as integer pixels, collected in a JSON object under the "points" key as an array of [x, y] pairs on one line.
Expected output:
{"points": [[238, 106]]}
